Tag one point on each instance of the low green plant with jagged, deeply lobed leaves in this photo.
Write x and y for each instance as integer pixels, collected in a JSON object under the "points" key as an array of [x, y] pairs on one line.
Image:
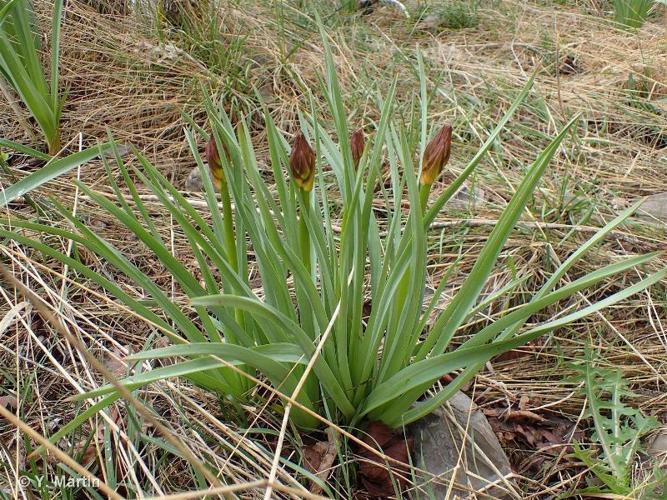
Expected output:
{"points": [[618, 427]]}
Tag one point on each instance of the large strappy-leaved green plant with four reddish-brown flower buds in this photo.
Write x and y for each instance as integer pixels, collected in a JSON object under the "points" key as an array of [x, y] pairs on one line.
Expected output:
{"points": [[317, 260]]}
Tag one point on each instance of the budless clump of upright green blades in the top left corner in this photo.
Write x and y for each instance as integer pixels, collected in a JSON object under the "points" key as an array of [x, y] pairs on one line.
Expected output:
{"points": [[20, 66]]}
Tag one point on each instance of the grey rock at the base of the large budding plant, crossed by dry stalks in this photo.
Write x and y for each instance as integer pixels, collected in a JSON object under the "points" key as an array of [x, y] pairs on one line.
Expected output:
{"points": [[480, 470]]}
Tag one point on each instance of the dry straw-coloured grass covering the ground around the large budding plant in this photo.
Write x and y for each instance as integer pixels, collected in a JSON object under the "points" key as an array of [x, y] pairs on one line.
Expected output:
{"points": [[123, 79]]}
